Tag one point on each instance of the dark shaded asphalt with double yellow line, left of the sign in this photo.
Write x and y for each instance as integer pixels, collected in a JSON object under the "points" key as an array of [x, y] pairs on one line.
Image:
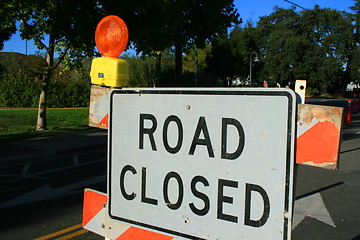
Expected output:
{"points": [[42, 183]]}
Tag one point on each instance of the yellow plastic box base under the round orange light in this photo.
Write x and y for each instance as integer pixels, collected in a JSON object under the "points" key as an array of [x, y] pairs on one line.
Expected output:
{"points": [[110, 72]]}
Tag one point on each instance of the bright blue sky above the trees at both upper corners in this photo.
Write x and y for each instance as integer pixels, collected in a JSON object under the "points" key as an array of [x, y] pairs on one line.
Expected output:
{"points": [[250, 10]]}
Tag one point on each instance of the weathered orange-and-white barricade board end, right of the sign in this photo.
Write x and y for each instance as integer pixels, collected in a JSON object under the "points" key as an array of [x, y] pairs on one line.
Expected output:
{"points": [[318, 135]]}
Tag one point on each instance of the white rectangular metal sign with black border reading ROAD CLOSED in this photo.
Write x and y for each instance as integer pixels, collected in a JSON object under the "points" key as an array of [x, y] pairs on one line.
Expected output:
{"points": [[203, 163]]}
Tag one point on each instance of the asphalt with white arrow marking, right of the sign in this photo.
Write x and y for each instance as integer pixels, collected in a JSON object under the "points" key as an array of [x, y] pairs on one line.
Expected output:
{"points": [[329, 199]]}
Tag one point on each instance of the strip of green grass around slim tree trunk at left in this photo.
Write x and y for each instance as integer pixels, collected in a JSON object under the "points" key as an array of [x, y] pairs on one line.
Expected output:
{"points": [[16, 124]]}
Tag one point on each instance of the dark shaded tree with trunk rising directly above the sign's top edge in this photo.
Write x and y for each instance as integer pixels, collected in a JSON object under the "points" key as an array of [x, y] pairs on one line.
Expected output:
{"points": [[156, 25]]}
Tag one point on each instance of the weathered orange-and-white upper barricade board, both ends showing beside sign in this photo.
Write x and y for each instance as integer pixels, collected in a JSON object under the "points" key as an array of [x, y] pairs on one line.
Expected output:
{"points": [[318, 128]]}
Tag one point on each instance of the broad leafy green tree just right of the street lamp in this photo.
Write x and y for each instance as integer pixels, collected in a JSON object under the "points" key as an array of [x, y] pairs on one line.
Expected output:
{"points": [[312, 44]]}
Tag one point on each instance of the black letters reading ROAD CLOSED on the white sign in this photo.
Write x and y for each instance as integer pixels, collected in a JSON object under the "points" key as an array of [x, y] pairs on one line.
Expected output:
{"points": [[201, 129]]}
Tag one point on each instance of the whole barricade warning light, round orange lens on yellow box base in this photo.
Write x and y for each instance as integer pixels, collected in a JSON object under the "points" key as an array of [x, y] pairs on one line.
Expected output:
{"points": [[111, 38]]}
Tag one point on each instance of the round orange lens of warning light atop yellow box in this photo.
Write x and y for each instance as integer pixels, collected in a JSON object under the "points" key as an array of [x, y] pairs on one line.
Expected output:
{"points": [[111, 36]]}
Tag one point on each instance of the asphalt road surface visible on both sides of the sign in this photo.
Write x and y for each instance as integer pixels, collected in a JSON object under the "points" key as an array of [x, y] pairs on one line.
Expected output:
{"points": [[327, 202]]}
